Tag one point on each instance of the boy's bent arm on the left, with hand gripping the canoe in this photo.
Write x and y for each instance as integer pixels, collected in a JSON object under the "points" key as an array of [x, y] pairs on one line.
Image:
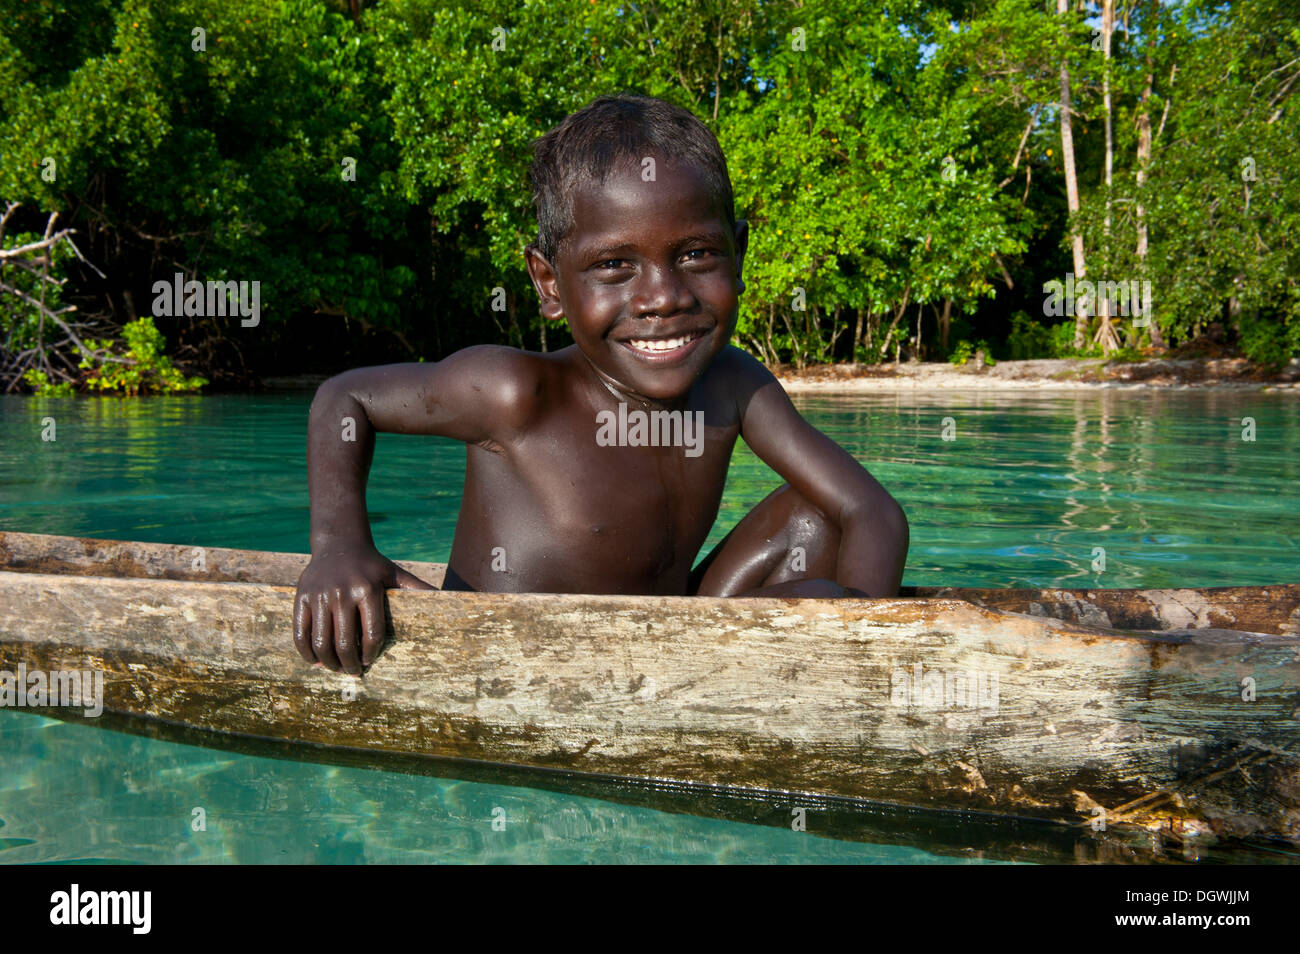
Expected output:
{"points": [[475, 396]]}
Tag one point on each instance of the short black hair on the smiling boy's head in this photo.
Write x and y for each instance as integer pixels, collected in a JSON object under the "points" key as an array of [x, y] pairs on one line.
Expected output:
{"points": [[588, 145]]}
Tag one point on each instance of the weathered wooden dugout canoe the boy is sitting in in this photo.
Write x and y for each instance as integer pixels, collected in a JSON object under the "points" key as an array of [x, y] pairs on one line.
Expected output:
{"points": [[1172, 712]]}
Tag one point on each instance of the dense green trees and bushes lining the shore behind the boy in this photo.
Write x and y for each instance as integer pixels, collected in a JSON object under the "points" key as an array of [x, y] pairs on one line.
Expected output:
{"points": [[915, 174]]}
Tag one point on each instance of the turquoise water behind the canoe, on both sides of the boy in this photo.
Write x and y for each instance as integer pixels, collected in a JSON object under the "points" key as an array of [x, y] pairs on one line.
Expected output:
{"points": [[1021, 497]]}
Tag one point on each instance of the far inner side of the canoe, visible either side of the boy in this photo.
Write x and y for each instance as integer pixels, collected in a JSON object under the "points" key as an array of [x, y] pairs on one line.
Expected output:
{"points": [[1273, 610]]}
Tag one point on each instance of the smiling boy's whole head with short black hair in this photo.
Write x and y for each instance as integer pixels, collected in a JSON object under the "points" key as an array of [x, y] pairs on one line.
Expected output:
{"points": [[639, 246]]}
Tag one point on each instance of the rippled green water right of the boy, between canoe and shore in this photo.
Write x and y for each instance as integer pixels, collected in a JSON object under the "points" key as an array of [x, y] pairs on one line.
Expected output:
{"points": [[1034, 485]]}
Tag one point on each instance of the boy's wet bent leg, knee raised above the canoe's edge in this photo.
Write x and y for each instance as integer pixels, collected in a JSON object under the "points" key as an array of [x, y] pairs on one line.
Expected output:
{"points": [[785, 540]]}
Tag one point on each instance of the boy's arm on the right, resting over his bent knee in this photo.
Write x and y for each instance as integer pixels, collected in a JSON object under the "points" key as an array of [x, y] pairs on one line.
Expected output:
{"points": [[873, 526]]}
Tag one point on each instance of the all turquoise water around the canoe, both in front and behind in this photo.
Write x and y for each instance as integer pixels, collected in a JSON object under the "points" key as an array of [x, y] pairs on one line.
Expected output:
{"points": [[1024, 495]]}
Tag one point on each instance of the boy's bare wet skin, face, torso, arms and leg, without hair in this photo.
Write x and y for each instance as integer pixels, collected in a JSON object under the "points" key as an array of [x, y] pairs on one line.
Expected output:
{"points": [[645, 261]]}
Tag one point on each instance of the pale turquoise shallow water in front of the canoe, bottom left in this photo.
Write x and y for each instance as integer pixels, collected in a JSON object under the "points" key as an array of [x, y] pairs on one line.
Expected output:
{"points": [[77, 793]]}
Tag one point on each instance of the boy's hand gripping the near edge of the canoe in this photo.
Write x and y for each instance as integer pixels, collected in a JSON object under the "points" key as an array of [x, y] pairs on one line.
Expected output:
{"points": [[339, 609]]}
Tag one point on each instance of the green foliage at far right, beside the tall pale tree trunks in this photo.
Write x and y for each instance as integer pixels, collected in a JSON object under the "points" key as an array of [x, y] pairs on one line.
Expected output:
{"points": [[1221, 203]]}
